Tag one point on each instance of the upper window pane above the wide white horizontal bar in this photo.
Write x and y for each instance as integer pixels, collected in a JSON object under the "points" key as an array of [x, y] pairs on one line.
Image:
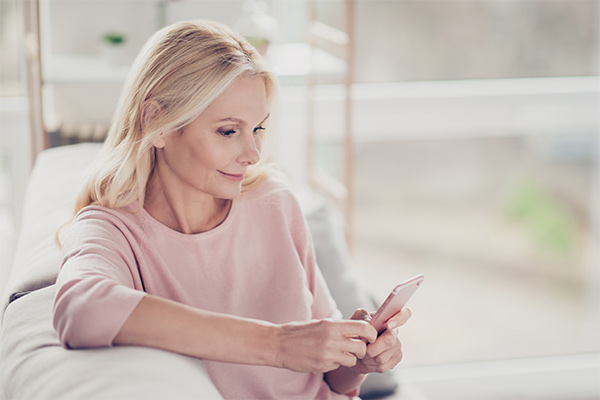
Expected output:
{"points": [[474, 39]]}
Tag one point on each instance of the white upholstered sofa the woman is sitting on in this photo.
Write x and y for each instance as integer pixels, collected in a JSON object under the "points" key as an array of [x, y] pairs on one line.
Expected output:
{"points": [[35, 365]]}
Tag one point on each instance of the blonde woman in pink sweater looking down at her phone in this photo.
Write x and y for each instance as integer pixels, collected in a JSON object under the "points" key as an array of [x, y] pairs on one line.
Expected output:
{"points": [[183, 241]]}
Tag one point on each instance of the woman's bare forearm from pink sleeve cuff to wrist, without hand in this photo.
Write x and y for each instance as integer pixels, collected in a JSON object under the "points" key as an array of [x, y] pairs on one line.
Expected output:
{"points": [[167, 325]]}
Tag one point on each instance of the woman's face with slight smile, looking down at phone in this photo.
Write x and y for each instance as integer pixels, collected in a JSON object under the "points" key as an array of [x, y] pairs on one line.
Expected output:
{"points": [[211, 155]]}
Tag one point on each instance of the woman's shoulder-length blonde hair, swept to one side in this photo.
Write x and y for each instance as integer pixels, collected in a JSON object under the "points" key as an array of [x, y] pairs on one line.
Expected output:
{"points": [[181, 69]]}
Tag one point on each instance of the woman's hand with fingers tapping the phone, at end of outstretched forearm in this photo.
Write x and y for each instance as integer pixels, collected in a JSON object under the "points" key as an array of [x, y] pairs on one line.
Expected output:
{"points": [[323, 345]]}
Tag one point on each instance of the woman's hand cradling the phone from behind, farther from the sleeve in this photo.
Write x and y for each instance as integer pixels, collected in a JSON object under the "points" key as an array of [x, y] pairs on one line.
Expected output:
{"points": [[386, 352]]}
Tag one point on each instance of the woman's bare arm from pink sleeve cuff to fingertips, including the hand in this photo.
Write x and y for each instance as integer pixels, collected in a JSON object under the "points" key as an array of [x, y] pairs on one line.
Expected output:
{"points": [[311, 346]]}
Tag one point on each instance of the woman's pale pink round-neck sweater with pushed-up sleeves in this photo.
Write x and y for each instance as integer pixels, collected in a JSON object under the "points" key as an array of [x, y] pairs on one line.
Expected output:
{"points": [[259, 263]]}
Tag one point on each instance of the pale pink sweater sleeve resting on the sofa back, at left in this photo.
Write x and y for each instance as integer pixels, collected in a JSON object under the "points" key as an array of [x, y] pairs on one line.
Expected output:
{"points": [[96, 286]]}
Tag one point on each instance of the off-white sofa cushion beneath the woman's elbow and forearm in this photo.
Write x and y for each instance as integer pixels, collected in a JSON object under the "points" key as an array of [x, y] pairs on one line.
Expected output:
{"points": [[35, 365]]}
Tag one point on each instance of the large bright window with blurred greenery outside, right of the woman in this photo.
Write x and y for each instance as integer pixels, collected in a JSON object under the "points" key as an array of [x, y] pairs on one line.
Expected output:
{"points": [[460, 175]]}
